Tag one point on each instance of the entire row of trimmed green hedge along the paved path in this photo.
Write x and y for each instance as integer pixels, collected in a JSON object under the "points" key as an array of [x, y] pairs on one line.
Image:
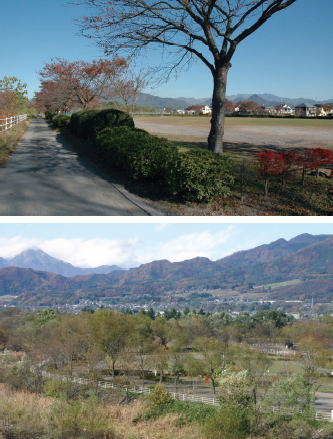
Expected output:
{"points": [[194, 175]]}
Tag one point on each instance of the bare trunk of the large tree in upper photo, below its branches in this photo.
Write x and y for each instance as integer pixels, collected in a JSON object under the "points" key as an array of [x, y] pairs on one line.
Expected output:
{"points": [[215, 138]]}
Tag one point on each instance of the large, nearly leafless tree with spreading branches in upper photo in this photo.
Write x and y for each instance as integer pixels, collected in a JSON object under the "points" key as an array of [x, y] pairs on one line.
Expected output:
{"points": [[209, 30]]}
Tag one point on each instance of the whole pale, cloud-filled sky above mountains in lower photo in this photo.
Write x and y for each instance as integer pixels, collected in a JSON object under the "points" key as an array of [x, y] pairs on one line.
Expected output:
{"points": [[136, 243]]}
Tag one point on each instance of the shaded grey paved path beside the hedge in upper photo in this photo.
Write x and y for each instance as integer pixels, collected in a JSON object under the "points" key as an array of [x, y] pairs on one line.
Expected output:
{"points": [[45, 176]]}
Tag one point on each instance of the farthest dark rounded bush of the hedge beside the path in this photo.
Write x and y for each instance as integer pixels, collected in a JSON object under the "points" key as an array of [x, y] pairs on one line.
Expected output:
{"points": [[88, 123]]}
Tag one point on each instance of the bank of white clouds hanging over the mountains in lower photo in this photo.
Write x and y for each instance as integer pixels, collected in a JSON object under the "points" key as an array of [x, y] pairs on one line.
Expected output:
{"points": [[124, 252]]}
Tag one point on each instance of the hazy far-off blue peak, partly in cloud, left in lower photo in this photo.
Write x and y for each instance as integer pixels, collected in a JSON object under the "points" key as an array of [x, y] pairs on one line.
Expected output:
{"points": [[39, 260]]}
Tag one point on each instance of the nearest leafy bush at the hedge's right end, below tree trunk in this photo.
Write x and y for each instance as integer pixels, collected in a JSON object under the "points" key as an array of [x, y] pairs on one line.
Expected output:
{"points": [[203, 175]]}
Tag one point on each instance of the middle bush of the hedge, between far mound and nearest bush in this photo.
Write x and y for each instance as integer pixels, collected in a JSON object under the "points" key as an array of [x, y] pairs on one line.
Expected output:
{"points": [[142, 156]]}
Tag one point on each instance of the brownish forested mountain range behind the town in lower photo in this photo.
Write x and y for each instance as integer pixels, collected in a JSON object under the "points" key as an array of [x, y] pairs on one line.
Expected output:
{"points": [[305, 258]]}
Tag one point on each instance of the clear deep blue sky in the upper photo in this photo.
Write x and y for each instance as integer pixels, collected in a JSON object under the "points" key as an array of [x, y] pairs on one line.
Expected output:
{"points": [[290, 56]]}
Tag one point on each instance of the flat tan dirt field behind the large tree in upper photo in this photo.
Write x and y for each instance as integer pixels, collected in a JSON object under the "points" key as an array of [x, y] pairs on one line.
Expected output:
{"points": [[288, 133]]}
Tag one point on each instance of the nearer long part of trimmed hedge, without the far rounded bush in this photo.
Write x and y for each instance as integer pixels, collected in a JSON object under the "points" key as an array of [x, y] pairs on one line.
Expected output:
{"points": [[195, 175]]}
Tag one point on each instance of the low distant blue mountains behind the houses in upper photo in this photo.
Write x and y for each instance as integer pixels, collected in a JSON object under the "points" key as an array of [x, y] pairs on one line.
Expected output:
{"points": [[149, 100]]}
